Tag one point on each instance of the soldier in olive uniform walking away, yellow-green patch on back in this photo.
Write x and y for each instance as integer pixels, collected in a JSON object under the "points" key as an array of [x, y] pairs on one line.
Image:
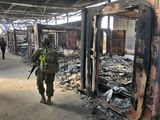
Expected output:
{"points": [[46, 61]]}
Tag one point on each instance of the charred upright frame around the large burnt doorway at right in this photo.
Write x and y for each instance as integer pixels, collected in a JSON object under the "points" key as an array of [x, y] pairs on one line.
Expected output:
{"points": [[146, 29]]}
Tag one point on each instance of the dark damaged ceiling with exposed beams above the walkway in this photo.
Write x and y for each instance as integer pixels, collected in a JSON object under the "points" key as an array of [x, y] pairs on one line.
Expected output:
{"points": [[43, 9]]}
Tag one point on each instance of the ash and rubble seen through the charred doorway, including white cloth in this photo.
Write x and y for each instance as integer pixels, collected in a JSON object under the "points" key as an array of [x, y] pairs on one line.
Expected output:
{"points": [[115, 87]]}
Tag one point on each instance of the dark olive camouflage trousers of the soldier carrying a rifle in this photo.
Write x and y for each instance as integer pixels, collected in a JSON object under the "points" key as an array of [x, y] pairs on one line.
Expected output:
{"points": [[48, 79]]}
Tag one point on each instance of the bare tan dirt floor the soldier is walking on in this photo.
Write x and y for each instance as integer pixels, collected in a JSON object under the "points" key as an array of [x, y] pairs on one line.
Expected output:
{"points": [[19, 98]]}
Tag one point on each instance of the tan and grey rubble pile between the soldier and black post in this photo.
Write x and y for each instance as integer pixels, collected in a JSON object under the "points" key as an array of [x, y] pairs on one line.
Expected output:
{"points": [[69, 72]]}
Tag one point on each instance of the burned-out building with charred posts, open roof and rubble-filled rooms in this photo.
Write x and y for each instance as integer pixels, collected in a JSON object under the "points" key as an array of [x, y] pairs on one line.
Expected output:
{"points": [[117, 67]]}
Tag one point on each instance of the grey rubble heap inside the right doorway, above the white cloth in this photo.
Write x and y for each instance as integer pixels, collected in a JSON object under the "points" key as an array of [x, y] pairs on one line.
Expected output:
{"points": [[118, 69]]}
